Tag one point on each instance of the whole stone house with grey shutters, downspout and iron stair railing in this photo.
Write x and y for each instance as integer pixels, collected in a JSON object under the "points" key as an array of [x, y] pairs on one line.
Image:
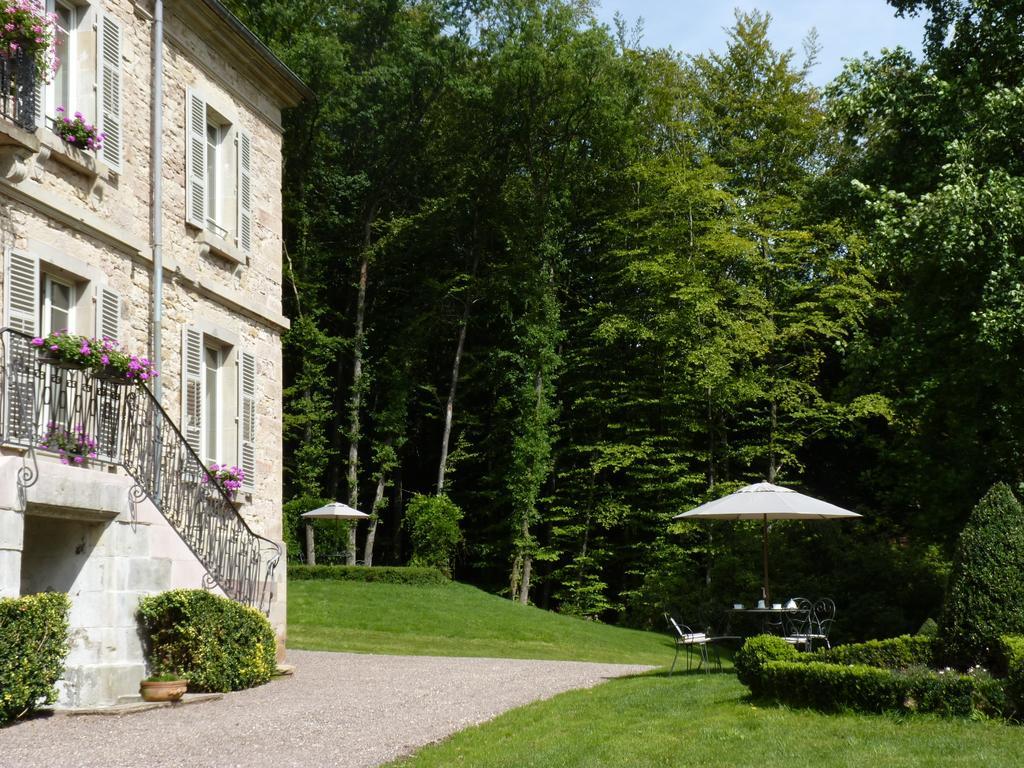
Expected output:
{"points": [[193, 282]]}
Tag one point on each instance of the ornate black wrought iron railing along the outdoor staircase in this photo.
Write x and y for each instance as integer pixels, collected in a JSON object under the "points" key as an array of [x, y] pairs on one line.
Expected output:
{"points": [[41, 397]]}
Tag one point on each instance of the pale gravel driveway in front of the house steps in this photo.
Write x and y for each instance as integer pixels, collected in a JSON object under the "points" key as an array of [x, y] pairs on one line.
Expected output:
{"points": [[339, 710]]}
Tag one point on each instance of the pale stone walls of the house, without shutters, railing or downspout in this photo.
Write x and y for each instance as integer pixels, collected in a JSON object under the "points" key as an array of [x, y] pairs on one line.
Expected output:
{"points": [[87, 222]]}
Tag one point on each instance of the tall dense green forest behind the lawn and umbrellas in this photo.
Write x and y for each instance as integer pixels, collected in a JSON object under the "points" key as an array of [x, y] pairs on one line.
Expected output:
{"points": [[577, 286]]}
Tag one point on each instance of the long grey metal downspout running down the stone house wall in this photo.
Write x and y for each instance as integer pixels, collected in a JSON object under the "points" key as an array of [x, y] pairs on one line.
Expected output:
{"points": [[156, 206]]}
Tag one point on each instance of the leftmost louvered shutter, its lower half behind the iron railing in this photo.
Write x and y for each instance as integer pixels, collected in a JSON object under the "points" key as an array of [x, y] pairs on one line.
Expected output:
{"points": [[22, 313]]}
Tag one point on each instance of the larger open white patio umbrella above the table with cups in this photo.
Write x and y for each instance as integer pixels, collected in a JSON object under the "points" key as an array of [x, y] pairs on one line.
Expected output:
{"points": [[765, 502]]}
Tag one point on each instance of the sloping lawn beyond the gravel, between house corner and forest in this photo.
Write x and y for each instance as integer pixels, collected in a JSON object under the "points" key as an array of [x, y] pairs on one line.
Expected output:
{"points": [[453, 620]]}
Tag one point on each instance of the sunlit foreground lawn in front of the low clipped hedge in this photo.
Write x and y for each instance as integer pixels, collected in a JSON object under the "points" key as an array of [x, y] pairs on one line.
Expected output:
{"points": [[704, 721]]}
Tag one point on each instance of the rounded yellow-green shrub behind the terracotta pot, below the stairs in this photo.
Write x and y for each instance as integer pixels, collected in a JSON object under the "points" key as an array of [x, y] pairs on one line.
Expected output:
{"points": [[217, 644]]}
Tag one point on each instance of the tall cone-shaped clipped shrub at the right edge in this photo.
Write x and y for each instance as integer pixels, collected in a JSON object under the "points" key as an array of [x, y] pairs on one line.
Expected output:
{"points": [[987, 586]]}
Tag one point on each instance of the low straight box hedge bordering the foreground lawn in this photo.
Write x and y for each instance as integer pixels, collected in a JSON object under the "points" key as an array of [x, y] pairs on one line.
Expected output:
{"points": [[834, 687]]}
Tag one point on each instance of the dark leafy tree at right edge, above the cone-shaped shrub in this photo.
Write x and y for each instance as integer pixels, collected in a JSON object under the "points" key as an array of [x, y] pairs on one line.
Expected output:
{"points": [[932, 168]]}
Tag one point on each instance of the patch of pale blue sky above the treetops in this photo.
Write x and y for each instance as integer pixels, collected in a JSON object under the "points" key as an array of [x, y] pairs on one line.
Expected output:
{"points": [[846, 28]]}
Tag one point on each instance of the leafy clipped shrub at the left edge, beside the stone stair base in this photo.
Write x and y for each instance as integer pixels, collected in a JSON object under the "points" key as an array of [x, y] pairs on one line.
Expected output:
{"points": [[33, 646]]}
